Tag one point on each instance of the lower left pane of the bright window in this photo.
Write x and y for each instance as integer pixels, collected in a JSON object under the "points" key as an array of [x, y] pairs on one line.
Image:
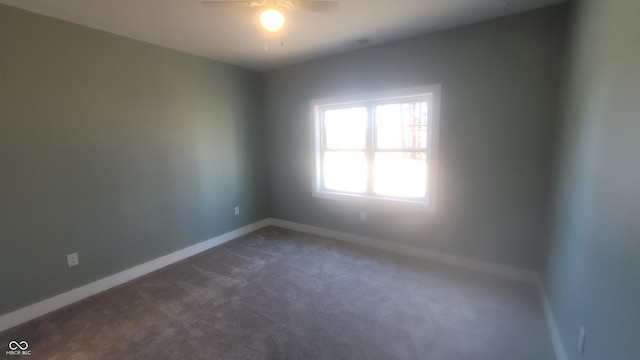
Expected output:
{"points": [[345, 171]]}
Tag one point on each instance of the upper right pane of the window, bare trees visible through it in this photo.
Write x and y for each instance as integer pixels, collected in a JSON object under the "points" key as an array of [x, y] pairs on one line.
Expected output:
{"points": [[402, 125]]}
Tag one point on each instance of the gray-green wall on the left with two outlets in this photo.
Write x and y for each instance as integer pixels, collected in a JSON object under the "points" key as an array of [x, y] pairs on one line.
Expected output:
{"points": [[115, 149]]}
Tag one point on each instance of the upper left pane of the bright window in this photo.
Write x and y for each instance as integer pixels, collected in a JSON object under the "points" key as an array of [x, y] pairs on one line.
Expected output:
{"points": [[345, 128]]}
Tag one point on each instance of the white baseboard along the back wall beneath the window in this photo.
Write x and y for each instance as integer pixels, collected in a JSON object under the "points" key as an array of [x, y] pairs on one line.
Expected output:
{"points": [[436, 256]]}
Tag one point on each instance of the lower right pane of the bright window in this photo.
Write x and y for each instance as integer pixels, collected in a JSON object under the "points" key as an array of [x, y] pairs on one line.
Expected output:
{"points": [[401, 174]]}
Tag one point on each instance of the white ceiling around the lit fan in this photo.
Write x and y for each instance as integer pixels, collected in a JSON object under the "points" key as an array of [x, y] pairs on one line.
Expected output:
{"points": [[232, 34]]}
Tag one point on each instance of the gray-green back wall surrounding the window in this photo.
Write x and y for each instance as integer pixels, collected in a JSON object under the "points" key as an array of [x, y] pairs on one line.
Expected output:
{"points": [[500, 92]]}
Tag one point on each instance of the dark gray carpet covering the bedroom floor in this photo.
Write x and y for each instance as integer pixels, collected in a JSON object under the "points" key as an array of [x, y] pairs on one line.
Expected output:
{"points": [[279, 294]]}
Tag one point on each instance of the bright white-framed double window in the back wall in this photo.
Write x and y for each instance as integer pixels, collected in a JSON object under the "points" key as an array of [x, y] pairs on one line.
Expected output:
{"points": [[378, 147]]}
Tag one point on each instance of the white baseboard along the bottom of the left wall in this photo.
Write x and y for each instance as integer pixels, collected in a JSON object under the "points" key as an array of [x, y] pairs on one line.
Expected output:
{"points": [[30, 312]]}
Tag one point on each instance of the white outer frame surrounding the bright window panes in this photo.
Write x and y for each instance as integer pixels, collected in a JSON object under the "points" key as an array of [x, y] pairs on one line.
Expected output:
{"points": [[319, 105]]}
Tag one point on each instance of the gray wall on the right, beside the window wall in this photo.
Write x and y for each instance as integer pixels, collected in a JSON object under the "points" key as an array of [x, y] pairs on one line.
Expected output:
{"points": [[593, 276]]}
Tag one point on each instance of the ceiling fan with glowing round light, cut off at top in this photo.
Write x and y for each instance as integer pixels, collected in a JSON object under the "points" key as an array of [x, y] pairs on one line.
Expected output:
{"points": [[271, 18]]}
